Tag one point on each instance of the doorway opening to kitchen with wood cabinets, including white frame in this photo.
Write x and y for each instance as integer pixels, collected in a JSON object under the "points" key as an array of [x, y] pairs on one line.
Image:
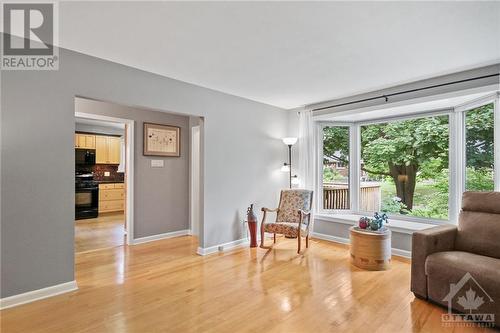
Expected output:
{"points": [[103, 181]]}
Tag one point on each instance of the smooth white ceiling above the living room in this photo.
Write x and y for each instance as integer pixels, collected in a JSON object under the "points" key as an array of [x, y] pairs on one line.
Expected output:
{"points": [[287, 54]]}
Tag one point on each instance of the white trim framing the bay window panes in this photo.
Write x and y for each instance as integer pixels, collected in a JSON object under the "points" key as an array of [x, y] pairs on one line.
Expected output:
{"points": [[456, 155]]}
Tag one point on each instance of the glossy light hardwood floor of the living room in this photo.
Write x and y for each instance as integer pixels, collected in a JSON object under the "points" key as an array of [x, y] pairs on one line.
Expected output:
{"points": [[164, 286]]}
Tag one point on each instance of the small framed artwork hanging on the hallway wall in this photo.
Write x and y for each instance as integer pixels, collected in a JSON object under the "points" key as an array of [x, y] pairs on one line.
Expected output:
{"points": [[162, 140]]}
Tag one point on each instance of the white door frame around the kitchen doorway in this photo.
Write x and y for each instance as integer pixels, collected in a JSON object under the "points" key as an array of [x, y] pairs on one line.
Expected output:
{"points": [[129, 165]]}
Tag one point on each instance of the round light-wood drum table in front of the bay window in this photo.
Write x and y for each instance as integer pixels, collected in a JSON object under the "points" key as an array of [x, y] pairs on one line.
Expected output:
{"points": [[370, 250]]}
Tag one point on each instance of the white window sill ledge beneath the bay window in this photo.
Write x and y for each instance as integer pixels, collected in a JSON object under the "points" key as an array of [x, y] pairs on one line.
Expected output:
{"points": [[400, 226]]}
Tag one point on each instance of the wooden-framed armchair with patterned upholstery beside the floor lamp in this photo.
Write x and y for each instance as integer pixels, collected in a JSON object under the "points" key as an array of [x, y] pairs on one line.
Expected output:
{"points": [[293, 217]]}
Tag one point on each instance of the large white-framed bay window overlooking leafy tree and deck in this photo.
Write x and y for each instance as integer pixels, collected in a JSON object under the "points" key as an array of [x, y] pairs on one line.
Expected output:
{"points": [[413, 167]]}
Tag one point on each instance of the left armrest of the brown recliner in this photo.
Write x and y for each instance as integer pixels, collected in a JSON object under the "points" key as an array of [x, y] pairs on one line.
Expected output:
{"points": [[425, 243]]}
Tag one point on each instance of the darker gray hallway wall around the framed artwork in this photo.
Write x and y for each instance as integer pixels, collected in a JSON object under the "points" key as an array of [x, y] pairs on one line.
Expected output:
{"points": [[161, 194]]}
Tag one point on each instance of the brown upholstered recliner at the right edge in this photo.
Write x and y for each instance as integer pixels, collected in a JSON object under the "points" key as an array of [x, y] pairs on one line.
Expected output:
{"points": [[443, 255]]}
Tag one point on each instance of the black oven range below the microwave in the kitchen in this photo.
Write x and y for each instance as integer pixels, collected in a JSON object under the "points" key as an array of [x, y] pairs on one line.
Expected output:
{"points": [[86, 198]]}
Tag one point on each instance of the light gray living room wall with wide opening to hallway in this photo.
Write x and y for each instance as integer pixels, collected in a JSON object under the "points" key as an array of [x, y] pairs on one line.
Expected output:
{"points": [[242, 150]]}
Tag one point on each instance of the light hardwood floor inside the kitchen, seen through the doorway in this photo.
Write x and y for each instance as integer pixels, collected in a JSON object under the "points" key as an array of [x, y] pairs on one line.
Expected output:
{"points": [[108, 230]]}
